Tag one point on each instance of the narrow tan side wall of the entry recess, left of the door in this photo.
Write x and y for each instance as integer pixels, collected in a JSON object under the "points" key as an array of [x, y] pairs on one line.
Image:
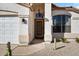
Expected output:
{"points": [[31, 25]]}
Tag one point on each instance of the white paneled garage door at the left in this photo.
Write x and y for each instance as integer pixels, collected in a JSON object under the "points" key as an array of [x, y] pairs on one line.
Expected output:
{"points": [[9, 30]]}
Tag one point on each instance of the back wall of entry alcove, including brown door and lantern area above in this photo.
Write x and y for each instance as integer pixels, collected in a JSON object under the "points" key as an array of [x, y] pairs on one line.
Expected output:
{"points": [[39, 21]]}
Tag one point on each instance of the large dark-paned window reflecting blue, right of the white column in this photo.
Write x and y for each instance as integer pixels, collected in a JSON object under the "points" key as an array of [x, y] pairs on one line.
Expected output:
{"points": [[61, 23]]}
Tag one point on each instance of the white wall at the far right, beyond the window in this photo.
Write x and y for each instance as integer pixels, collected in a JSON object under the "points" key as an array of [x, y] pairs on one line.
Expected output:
{"points": [[74, 22]]}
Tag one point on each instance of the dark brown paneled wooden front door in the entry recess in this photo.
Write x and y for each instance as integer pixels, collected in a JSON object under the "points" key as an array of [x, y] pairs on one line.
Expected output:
{"points": [[39, 28]]}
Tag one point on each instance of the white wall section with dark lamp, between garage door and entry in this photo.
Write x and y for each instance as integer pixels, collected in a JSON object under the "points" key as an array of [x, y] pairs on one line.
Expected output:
{"points": [[23, 32]]}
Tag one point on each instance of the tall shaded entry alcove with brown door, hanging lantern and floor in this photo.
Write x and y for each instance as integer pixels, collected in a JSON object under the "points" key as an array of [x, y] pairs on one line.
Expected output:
{"points": [[38, 9]]}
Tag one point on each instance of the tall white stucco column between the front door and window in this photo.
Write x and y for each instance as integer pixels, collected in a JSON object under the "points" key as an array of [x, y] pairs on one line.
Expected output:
{"points": [[48, 23]]}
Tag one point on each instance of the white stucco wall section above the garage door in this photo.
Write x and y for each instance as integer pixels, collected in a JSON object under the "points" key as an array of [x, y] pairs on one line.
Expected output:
{"points": [[14, 7]]}
